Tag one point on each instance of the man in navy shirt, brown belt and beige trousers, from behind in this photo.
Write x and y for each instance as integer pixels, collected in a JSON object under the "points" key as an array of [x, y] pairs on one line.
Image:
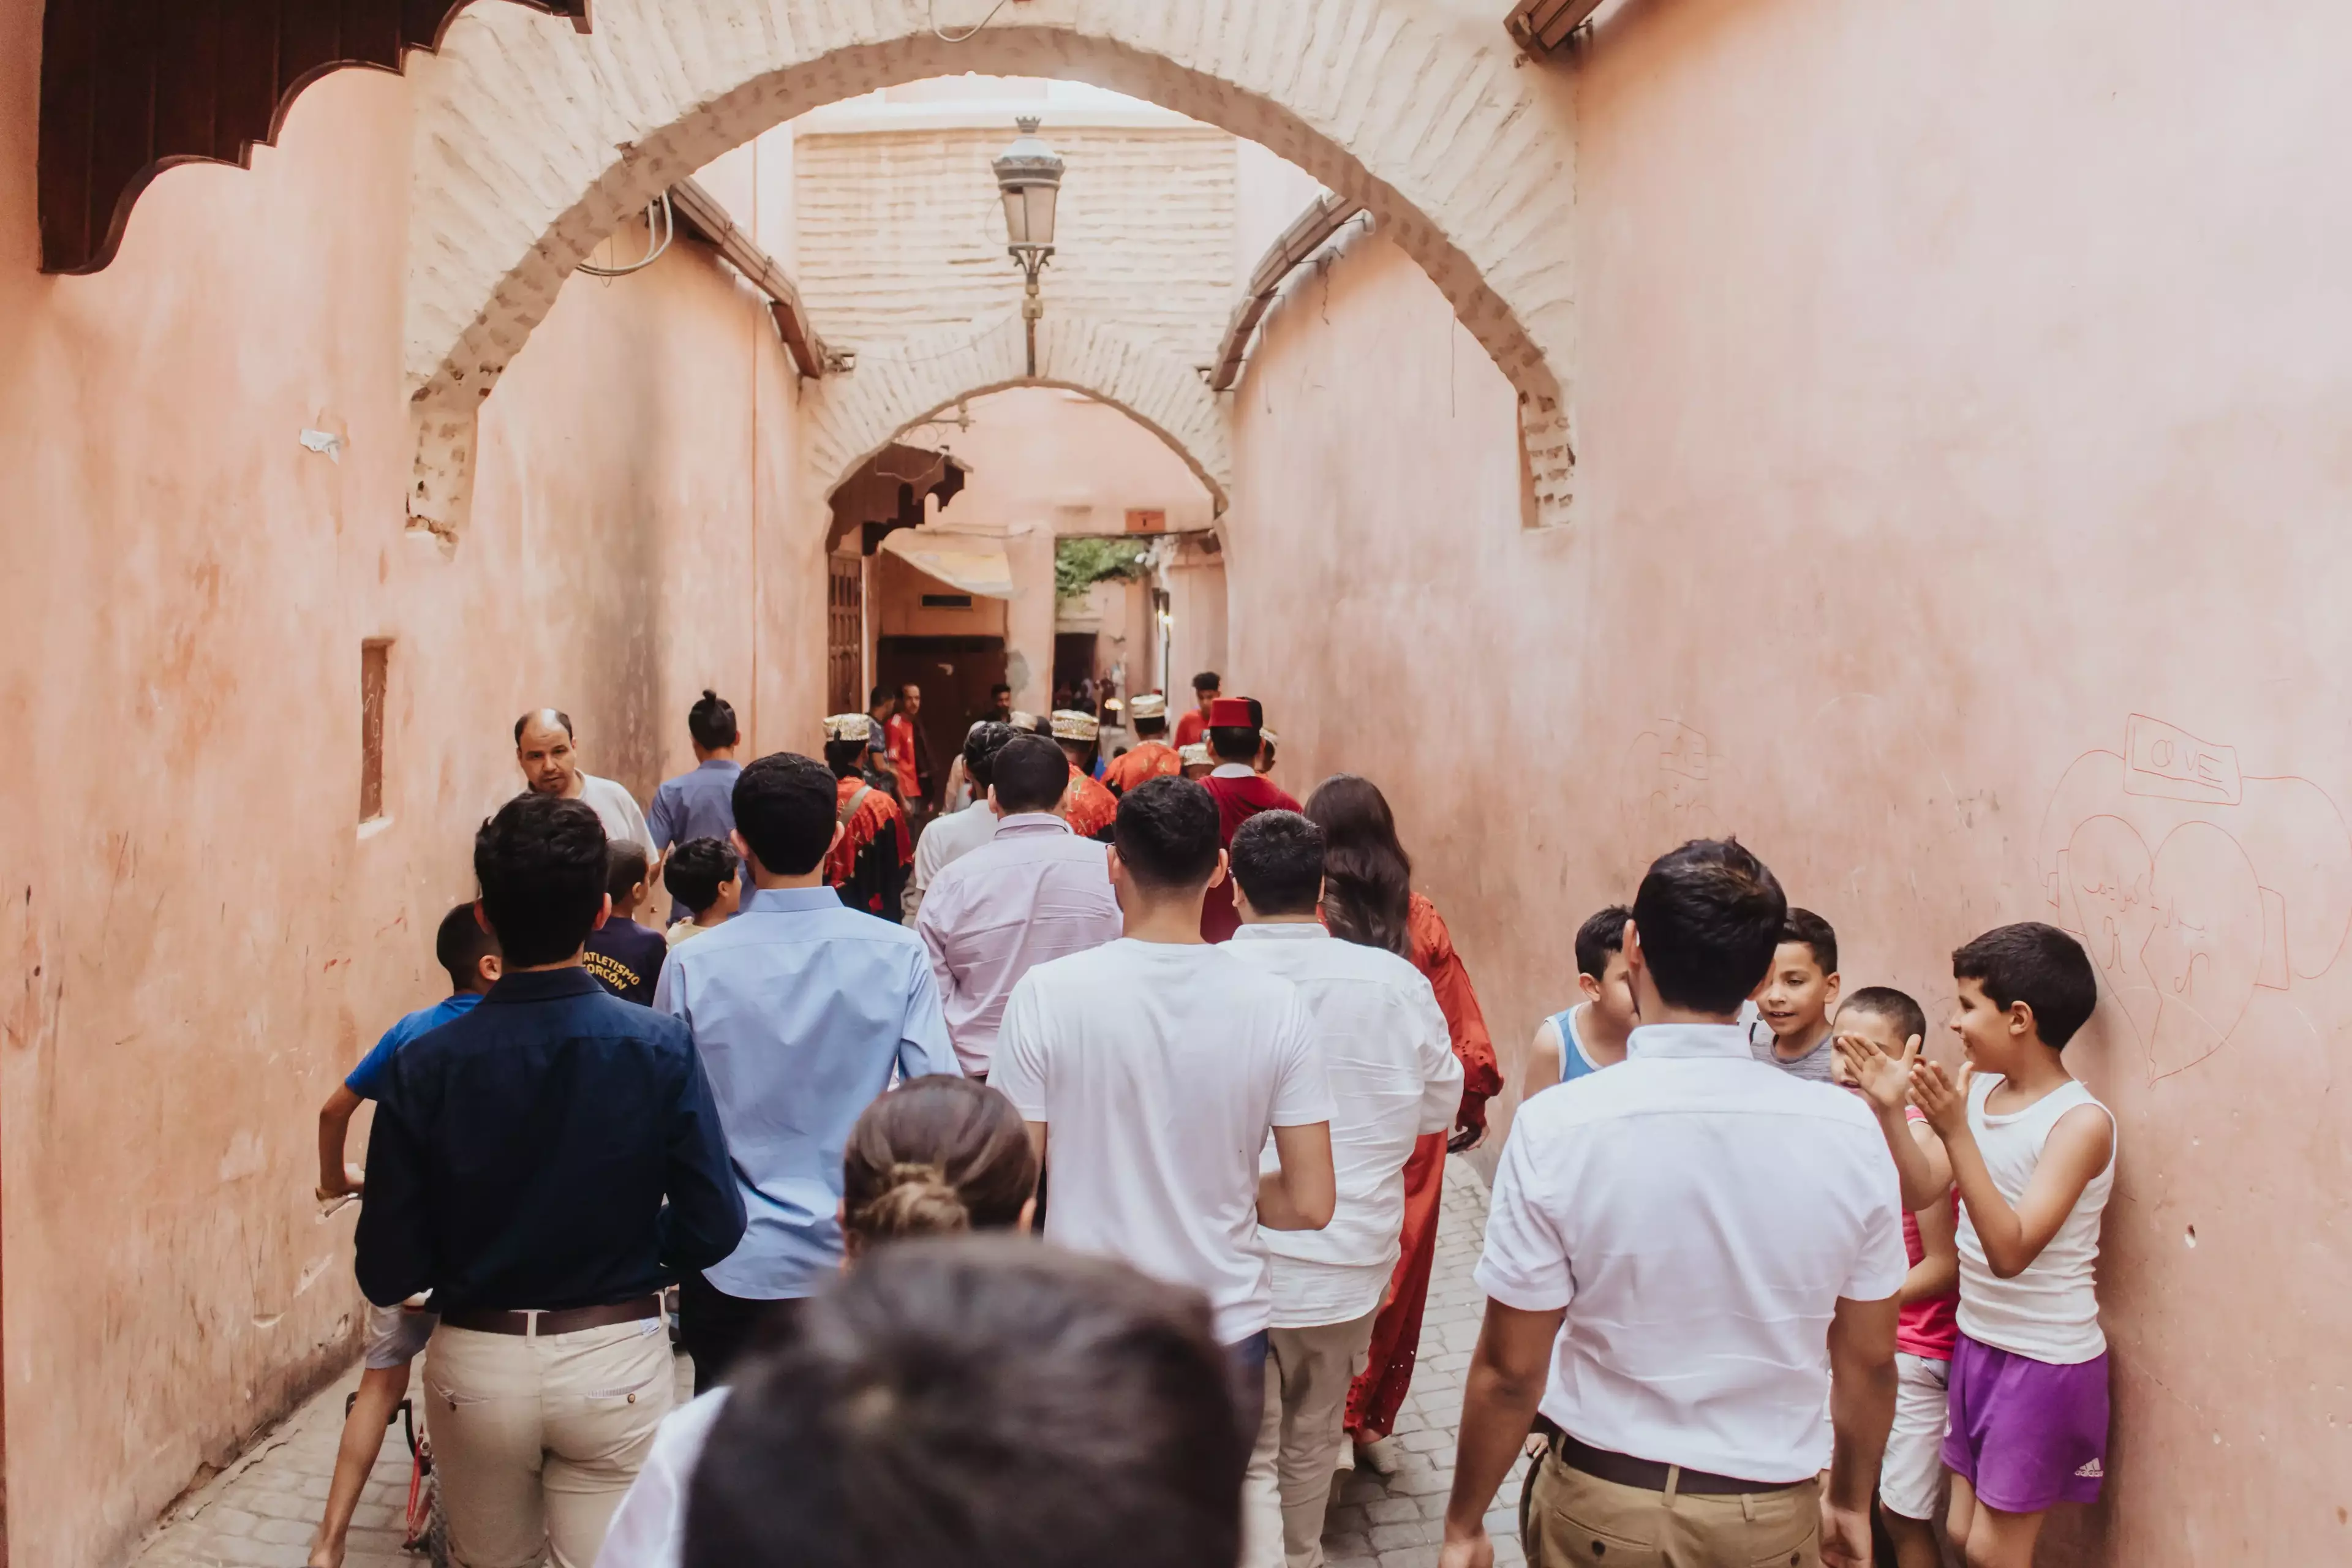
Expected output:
{"points": [[544, 1165]]}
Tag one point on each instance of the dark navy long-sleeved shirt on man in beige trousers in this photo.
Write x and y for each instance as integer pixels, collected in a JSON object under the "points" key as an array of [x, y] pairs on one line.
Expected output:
{"points": [[552, 1148]]}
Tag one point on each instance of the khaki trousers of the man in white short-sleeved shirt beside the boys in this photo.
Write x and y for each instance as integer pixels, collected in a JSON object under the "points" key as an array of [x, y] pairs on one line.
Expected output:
{"points": [[1584, 1522]]}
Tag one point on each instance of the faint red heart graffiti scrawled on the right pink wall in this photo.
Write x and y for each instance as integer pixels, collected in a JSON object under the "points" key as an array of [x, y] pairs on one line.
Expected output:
{"points": [[2193, 885]]}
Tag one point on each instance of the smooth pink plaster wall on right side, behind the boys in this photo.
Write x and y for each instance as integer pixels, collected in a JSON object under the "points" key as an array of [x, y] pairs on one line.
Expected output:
{"points": [[1960, 413]]}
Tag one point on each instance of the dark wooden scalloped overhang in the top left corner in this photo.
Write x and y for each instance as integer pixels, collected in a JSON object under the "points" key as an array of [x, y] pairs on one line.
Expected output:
{"points": [[131, 88]]}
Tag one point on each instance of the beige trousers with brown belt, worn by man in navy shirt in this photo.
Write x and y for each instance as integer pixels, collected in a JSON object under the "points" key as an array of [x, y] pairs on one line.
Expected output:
{"points": [[537, 1438]]}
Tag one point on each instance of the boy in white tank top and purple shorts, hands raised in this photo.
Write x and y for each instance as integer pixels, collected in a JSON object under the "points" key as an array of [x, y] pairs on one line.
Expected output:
{"points": [[2033, 1158]]}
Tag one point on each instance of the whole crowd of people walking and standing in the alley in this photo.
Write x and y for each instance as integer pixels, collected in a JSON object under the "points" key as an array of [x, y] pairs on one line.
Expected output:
{"points": [[1758, 1273]]}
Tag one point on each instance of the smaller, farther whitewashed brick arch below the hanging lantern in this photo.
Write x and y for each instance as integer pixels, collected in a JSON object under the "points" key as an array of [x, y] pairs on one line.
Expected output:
{"points": [[855, 417]]}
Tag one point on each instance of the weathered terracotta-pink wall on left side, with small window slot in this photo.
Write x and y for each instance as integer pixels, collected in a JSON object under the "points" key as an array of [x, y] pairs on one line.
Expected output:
{"points": [[206, 934]]}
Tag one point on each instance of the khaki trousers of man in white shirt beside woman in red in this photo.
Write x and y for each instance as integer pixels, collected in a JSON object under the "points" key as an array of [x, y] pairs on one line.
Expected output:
{"points": [[1299, 1438]]}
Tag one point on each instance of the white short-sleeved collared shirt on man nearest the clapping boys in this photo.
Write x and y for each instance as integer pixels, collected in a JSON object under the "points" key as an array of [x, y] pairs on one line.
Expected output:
{"points": [[1699, 1217]]}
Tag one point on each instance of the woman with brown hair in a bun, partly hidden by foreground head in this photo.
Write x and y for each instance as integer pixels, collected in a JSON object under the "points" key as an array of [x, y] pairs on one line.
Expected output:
{"points": [[937, 1155]]}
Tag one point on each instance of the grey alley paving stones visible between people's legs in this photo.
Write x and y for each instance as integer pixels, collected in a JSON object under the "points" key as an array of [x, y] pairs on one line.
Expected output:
{"points": [[260, 1513]]}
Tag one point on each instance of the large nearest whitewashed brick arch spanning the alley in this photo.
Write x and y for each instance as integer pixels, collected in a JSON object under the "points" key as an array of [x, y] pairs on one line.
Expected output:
{"points": [[535, 142]]}
